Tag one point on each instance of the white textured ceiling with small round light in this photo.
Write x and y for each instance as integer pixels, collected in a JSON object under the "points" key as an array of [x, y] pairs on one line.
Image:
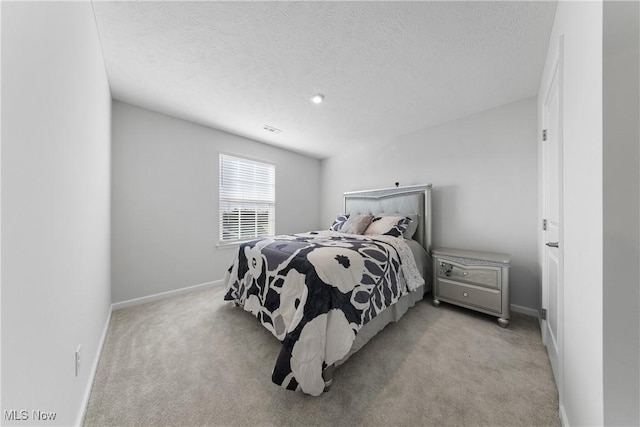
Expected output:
{"points": [[386, 68]]}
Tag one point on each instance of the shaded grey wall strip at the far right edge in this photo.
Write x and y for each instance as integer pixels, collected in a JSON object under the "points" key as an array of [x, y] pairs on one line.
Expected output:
{"points": [[621, 177]]}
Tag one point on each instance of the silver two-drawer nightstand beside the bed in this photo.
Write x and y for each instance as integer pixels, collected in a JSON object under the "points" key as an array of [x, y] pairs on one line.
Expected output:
{"points": [[472, 279]]}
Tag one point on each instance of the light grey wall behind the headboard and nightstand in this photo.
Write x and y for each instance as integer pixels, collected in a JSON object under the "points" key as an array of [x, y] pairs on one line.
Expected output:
{"points": [[484, 174]]}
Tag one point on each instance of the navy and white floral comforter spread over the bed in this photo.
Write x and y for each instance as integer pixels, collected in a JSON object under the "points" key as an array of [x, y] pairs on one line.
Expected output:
{"points": [[314, 291]]}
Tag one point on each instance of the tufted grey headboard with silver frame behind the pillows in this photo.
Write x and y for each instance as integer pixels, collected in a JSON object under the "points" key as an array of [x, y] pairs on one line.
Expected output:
{"points": [[413, 199]]}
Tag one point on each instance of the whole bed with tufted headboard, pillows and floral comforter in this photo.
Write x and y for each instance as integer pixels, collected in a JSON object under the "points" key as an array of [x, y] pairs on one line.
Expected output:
{"points": [[325, 294]]}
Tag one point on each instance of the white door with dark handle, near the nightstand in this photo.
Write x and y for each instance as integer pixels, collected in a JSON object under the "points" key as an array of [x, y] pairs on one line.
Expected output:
{"points": [[552, 286]]}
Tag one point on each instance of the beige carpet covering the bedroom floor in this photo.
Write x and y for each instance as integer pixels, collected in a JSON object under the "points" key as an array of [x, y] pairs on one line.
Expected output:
{"points": [[196, 360]]}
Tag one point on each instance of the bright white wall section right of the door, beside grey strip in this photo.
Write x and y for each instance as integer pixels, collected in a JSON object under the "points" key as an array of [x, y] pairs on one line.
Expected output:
{"points": [[581, 385]]}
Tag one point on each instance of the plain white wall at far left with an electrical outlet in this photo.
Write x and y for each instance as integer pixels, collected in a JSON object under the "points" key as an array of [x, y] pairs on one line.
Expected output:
{"points": [[56, 110]]}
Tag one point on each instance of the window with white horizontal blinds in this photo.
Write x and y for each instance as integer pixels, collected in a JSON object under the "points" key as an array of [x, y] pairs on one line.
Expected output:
{"points": [[247, 199]]}
